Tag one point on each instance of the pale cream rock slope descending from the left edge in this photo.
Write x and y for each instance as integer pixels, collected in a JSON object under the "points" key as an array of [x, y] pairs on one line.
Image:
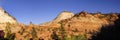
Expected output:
{"points": [[5, 17]]}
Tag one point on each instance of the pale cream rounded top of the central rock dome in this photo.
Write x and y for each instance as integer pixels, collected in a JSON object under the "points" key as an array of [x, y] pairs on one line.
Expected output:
{"points": [[63, 15]]}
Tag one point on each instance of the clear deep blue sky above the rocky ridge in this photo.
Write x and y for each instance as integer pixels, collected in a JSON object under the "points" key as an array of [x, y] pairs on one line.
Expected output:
{"points": [[39, 11]]}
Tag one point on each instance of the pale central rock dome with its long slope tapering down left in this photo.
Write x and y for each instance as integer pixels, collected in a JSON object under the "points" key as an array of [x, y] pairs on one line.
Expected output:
{"points": [[62, 16]]}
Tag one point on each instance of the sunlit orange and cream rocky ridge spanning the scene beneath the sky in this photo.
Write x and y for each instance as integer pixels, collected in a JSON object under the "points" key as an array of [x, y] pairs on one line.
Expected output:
{"points": [[66, 25]]}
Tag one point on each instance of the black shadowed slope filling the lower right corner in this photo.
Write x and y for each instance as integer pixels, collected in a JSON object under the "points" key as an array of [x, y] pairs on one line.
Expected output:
{"points": [[109, 32]]}
